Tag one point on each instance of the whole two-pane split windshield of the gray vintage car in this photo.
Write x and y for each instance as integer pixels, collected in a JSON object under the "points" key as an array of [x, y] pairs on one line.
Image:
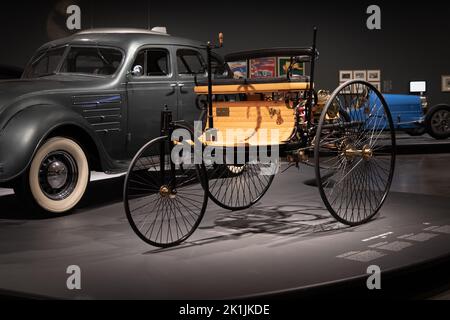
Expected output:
{"points": [[79, 60]]}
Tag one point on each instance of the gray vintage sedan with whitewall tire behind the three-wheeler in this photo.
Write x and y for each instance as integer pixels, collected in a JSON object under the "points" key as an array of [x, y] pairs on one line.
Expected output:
{"points": [[89, 102]]}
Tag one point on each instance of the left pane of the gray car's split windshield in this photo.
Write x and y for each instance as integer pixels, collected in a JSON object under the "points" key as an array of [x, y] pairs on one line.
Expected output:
{"points": [[46, 63]]}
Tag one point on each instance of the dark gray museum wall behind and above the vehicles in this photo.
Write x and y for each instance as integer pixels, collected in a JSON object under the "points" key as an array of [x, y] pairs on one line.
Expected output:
{"points": [[412, 45]]}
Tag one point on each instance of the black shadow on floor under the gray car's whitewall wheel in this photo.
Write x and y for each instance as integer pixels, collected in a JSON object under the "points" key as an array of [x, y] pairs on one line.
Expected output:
{"points": [[99, 193]]}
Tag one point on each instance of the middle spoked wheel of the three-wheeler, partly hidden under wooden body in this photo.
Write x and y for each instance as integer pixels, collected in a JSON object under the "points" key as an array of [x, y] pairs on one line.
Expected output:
{"points": [[239, 186]]}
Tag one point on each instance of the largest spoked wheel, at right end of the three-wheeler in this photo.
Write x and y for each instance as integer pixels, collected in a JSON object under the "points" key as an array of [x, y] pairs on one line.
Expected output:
{"points": [[355, 152]]}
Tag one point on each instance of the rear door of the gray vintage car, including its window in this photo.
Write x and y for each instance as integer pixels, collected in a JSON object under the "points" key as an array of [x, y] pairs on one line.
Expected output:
{"points": [[190, 66]]}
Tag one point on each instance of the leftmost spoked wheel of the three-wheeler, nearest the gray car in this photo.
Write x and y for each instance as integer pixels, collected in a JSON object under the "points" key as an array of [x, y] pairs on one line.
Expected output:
{"points": [[164, 202]]}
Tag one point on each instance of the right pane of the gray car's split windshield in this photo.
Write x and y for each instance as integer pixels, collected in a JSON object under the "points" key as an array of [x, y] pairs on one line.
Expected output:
{"points": [[95, 60]]}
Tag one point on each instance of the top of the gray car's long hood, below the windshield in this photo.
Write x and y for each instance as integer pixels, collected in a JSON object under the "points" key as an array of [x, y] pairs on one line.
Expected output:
{"points": [[13, 90]]}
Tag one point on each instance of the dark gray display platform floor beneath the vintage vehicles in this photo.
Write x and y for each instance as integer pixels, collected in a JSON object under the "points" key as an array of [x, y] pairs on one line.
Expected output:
{"points": [[286, 243]]}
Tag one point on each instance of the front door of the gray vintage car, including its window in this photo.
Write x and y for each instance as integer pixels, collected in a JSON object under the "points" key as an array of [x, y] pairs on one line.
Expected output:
{"points": [[148, 92]]}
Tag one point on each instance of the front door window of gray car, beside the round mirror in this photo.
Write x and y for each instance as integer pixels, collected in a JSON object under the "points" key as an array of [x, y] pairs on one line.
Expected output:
{"points": [[155, 62]]}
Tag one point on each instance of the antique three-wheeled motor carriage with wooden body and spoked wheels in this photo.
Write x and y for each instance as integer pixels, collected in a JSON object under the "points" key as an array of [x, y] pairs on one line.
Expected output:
{"points": [[347, 135]]}
